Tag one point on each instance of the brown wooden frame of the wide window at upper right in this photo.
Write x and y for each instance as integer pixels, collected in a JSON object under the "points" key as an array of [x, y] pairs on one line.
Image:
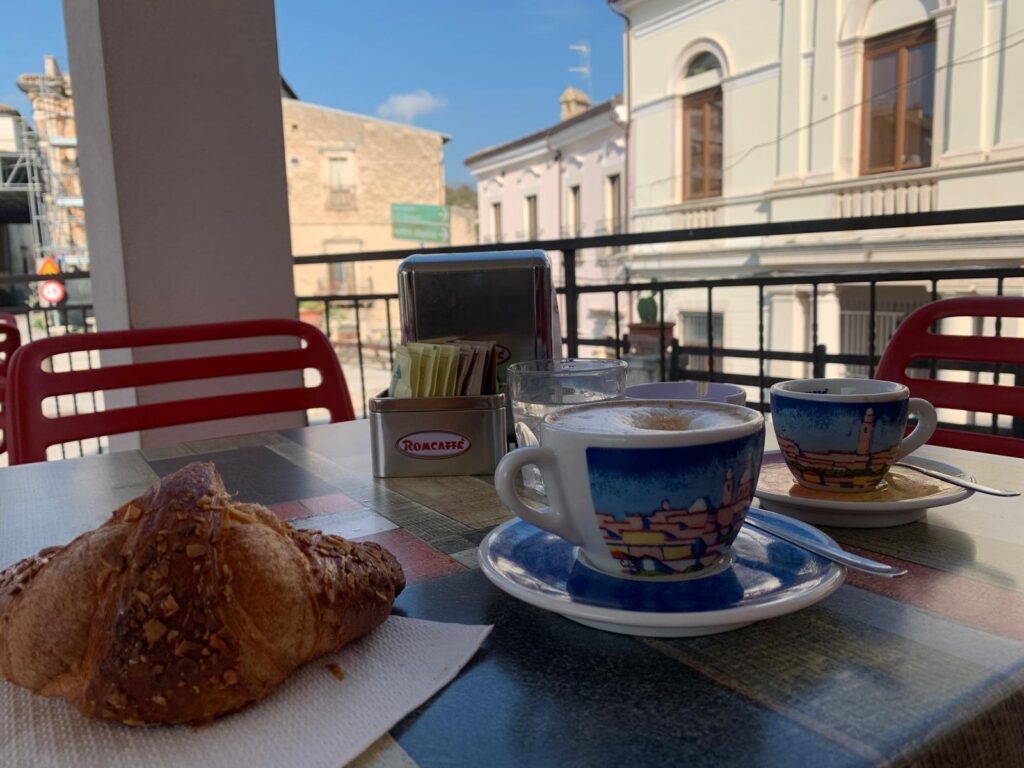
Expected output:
{"points": [[899, 42]]}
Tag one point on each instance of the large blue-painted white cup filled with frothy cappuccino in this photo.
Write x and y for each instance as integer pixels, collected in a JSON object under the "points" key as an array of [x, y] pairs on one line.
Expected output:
{"points": [[652, 489]]}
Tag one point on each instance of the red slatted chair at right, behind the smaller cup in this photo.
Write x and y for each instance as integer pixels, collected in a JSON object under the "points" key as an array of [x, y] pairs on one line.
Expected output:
{"points": [[914, 342]]}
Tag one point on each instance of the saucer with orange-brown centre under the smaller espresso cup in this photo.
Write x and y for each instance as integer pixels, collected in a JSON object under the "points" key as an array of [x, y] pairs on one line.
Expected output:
{"points": [[906, 497]]}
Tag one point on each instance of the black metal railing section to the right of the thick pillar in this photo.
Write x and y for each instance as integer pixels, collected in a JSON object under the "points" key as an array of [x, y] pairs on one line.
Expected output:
{"points": [[672, 354]]}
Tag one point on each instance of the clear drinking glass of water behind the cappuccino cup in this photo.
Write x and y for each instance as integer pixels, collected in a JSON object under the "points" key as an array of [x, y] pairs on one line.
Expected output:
{"points": [[540, 388]]}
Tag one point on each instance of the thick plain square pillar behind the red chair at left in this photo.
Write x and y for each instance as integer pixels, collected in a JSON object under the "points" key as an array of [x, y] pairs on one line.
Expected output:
{"points": [[183, 163]]}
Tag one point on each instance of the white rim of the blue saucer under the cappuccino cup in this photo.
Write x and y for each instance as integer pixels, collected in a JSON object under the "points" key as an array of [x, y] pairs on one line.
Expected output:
{"points": [[638, 620]]}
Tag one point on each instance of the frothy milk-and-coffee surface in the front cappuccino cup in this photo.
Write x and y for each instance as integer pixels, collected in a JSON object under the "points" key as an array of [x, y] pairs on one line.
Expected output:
{"points": [[629, 419]]}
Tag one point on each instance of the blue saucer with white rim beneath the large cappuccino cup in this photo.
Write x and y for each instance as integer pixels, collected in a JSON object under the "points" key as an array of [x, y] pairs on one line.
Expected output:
{"points": [[767, 578]]}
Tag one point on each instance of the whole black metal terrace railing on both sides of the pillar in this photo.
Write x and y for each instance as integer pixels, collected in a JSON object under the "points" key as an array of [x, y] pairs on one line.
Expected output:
{"points": [[367, 348]]}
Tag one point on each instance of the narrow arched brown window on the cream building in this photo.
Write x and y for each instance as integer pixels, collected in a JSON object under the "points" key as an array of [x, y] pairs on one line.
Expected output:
{"points": [[703, 134]]}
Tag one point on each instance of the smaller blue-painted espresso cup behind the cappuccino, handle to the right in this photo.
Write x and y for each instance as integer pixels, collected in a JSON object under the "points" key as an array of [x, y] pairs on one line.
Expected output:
{"points": [[845, 435]]}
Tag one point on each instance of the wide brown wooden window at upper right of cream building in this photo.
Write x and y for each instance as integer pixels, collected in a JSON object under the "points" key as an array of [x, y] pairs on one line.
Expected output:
{"points": [[900, 101]]}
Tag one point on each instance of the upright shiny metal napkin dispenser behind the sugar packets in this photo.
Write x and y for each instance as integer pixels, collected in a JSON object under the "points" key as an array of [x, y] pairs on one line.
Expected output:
{"points": [[506, 297]]}
